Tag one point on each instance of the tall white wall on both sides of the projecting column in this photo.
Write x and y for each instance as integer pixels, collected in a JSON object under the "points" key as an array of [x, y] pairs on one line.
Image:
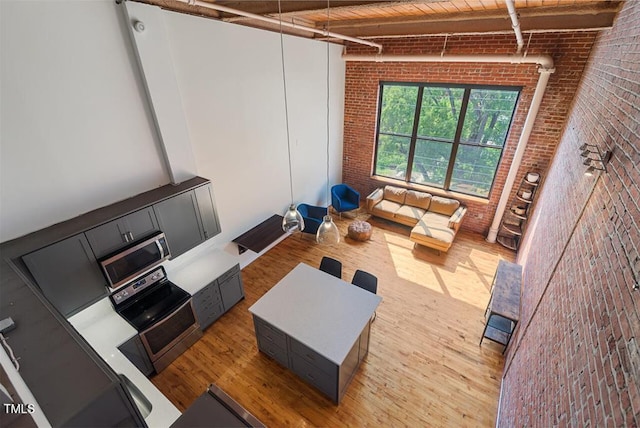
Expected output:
{"points": [[76, 132]]}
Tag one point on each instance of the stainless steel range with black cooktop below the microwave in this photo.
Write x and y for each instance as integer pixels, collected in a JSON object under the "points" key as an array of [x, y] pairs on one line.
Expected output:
{"points": [[162, 313]]}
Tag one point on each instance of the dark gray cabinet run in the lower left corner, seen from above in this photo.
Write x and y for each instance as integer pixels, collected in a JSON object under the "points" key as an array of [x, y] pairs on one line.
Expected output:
{"points": [[70, 382]]}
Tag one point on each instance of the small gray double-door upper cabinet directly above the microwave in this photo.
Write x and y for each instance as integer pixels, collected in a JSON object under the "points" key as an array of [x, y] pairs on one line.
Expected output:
{"points": [[117, 233]]}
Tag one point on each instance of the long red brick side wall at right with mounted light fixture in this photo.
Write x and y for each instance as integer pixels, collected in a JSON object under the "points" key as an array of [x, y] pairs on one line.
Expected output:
{"points": [[576, 357]]}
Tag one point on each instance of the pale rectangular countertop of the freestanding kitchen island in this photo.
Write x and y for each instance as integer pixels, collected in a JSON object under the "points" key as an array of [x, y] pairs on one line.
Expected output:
{"points": [[319, 310]]}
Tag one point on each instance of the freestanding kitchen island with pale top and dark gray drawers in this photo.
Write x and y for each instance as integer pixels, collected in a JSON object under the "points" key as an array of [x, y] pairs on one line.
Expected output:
{"points": [[317, 326]]}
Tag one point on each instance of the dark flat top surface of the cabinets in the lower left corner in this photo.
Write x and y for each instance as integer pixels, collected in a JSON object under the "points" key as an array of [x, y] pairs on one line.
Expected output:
{"points": [[50, 351]]}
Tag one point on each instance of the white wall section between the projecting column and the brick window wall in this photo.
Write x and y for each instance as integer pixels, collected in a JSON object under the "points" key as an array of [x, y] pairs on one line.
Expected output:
{"points": [[230, 78]]}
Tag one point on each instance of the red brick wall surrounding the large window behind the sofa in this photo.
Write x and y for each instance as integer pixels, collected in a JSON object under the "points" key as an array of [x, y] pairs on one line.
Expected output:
{"points": [[569, 51]]}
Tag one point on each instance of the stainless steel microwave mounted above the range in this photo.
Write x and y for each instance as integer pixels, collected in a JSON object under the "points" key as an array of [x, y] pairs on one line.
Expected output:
{"points": [[128, 263]]}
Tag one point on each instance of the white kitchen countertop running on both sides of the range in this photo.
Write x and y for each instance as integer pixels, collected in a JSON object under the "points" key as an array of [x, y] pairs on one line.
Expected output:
{"points": [[105, 330]]}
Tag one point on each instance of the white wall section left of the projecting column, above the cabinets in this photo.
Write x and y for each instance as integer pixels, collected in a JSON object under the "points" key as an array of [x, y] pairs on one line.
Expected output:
{"points": [[75, 131]]}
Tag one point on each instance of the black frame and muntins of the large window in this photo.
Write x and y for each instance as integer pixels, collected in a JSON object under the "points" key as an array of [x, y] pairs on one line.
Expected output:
{"points": [[456, 143]]}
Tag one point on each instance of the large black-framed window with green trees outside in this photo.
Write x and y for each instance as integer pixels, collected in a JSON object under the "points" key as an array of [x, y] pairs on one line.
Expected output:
{"points": [[445, 136]]}
